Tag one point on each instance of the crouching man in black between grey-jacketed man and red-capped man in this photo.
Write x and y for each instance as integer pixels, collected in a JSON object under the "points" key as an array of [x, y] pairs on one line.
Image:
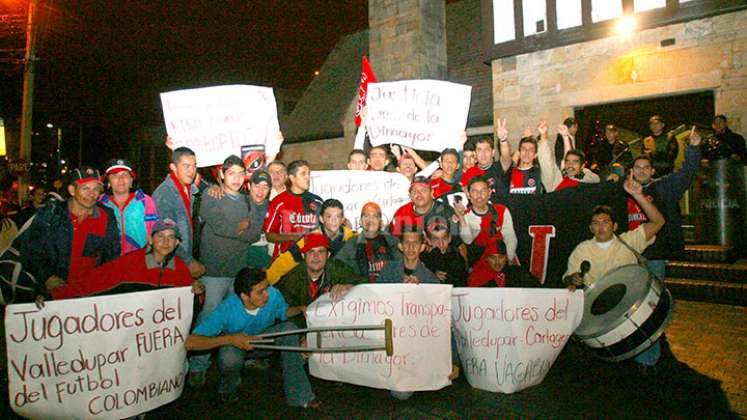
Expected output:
{"points": [[446, 259]]}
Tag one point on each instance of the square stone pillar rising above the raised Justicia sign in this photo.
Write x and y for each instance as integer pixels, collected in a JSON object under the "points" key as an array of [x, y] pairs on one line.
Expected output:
{"points": [[407, 39]]}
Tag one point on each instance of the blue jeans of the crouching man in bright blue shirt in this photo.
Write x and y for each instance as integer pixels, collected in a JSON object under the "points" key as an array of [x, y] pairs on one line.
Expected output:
{"points": [[295, 381]]}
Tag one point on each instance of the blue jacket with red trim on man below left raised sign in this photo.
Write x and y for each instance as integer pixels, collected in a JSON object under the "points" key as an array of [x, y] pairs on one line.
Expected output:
{"points": [[170, 205]]}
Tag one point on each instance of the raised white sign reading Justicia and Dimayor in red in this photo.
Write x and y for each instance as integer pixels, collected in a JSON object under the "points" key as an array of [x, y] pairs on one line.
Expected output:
{"points": [[421, 114]]}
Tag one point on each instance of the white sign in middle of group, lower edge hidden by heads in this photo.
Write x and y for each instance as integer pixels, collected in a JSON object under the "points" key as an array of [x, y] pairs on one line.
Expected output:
{"points": [[389, 190]]}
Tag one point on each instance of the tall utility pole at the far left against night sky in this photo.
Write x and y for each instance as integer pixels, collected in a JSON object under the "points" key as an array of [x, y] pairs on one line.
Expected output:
{"points": [[28, 97]]}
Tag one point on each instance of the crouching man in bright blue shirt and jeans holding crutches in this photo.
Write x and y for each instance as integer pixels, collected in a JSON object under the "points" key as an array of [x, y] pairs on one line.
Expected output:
{"points": [[251, 310]]}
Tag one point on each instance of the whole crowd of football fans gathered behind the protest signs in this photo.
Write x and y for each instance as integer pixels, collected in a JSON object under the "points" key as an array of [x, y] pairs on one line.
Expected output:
{"points": [[259, 247]]}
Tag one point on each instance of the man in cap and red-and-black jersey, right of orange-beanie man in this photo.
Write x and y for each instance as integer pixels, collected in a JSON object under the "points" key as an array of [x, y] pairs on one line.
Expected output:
{"points": [[422, 210]]}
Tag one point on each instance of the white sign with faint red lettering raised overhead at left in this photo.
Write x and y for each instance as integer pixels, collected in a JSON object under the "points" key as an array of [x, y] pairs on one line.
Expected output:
{"points": [[219, 121]]}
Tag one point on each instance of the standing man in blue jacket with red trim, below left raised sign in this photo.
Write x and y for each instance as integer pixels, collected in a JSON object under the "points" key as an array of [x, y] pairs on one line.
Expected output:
{"points": [[174, 199]]}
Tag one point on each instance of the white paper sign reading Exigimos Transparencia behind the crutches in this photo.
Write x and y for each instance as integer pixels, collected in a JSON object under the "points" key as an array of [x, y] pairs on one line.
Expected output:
{"points": [[421, 336]]}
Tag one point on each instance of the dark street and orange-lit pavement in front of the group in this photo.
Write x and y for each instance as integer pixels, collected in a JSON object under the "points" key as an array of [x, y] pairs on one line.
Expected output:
{"points": [[704, 376]]}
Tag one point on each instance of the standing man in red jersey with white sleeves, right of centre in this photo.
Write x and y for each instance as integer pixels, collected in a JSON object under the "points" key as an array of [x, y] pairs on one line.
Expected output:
{"points": [[484, 222]]}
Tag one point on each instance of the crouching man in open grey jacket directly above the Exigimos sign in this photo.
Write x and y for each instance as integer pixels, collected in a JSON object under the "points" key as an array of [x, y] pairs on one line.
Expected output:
{"points": [[410, 269]]}
